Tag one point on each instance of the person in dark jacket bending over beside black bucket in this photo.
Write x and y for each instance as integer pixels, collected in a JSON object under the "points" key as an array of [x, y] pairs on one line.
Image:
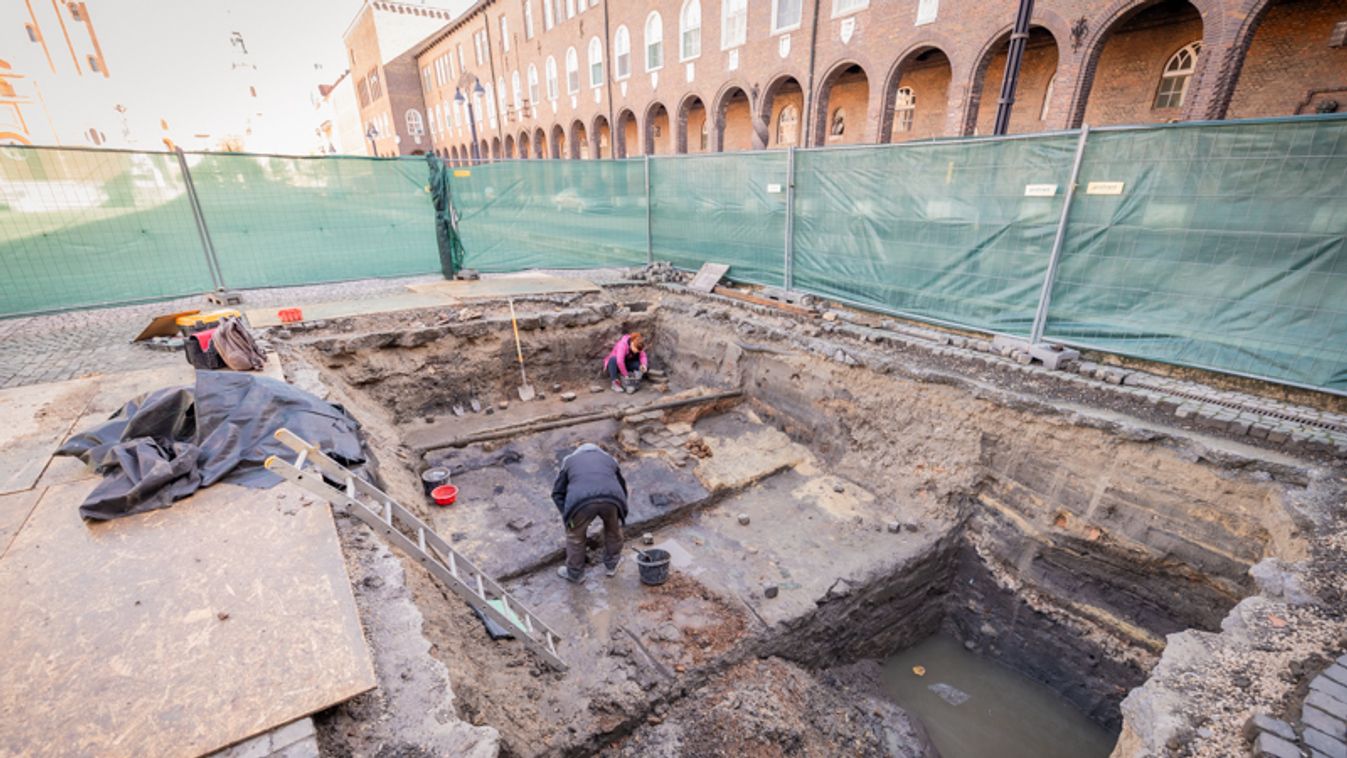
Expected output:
{"points": [[591, 487]]}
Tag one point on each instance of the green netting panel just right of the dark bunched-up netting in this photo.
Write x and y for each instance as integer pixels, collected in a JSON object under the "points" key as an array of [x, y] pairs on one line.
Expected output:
{"points": [[552, 215]]}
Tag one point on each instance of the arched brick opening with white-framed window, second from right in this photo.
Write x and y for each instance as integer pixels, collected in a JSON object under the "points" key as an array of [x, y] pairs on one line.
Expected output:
{"points": [[1146, 67]]}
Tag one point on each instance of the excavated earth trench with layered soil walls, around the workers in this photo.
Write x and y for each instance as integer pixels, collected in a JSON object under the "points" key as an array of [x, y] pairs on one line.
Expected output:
{"points": [[887, 504]]}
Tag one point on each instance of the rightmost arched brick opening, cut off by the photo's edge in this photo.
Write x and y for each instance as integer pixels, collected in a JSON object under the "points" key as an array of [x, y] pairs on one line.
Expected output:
{"points": [[1288, 69]]}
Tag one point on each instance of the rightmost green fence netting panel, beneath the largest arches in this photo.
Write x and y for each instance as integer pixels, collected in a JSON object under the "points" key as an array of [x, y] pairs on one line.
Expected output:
{"points": [[1225, 250]]}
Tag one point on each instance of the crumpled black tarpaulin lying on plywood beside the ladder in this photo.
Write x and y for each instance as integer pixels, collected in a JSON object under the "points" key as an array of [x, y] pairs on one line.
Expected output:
{"points": [[172, 442]]}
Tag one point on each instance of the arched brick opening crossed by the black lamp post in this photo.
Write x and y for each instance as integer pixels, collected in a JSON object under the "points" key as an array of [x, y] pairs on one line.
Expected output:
{"points": [[1034, 88]]}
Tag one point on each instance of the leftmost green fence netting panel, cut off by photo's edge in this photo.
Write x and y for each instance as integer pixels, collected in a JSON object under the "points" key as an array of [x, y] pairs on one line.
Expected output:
{"points": [[86, 228]]}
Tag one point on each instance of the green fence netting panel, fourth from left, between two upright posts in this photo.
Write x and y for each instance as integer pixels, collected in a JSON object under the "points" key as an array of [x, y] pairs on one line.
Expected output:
{"points": [[728, 209]]}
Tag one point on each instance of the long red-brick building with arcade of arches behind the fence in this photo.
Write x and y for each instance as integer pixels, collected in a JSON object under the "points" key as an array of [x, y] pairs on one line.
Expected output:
{"points": [[597, 79]]}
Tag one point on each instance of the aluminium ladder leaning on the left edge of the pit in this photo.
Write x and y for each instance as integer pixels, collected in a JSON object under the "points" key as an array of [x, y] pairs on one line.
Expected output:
{"points": [[389, 519]]}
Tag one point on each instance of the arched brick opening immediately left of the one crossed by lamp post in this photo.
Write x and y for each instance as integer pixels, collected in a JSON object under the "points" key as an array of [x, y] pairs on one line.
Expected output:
{"points": [[918, 98]]}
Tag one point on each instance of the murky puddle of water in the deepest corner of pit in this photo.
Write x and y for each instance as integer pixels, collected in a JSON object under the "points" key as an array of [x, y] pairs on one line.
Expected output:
{"points": [[975, 708]]}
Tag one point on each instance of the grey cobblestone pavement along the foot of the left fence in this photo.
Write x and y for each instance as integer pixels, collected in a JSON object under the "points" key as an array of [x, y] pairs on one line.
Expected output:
{"points": [[98, 341]]}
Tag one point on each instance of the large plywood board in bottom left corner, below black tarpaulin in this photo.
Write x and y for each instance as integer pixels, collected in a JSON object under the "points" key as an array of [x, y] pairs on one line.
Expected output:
{"points": [[176, 632]]}
